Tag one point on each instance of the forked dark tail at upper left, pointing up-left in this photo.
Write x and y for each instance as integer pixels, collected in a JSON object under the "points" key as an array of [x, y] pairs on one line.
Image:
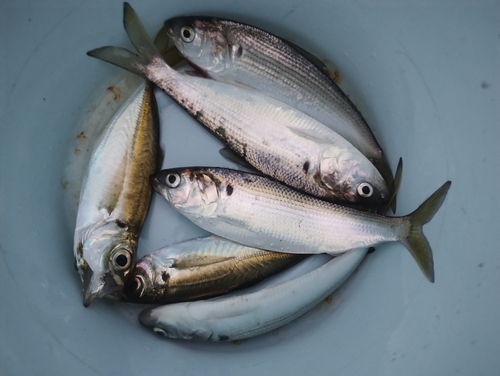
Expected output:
{"points": [[148, 53]]}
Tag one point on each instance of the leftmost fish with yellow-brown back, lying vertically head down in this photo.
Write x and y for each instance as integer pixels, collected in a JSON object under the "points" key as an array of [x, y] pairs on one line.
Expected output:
{"points": [[115, 197]]}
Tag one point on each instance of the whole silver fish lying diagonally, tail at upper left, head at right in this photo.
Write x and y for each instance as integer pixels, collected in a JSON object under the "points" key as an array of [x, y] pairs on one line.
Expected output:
{"points": [[273, 137]]}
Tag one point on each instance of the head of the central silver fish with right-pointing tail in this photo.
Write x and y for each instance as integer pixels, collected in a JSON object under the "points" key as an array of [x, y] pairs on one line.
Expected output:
{"points": [[194, 192]]}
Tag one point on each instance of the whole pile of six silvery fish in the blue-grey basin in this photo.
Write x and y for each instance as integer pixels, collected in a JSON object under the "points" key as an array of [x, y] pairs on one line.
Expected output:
{"points": [[318, 183]]}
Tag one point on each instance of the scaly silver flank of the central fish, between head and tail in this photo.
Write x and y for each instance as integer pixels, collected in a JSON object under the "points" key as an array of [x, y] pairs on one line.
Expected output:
{"points": [[267, 209]]}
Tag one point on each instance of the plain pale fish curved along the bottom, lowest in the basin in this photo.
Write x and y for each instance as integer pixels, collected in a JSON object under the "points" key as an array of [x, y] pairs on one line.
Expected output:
{"points": [[250, 314]]}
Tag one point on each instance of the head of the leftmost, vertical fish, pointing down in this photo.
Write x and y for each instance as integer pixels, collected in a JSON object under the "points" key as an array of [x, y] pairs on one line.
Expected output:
{"points": [[104, 258]]}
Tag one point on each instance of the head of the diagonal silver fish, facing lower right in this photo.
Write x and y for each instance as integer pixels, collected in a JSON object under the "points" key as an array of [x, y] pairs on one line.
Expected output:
{"points": [[352, 179]]}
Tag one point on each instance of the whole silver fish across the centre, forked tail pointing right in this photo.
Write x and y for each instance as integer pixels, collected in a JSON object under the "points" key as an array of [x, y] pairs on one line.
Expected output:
{"points": [[261, 212]]}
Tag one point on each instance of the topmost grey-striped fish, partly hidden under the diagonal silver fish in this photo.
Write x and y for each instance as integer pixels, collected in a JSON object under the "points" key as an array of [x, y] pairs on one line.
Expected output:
{"points": [[242, 54]]}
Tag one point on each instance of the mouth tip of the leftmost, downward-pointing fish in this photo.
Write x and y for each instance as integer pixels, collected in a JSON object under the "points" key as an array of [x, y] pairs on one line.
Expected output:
{"points": [[98, 286]]}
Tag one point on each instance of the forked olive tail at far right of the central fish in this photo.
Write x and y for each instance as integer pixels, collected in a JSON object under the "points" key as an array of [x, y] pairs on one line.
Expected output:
{"points": [[415, 239]]}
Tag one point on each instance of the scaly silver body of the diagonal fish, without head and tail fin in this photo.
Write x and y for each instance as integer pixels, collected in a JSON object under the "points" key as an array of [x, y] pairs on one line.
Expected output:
{"points": [[255, 128]]}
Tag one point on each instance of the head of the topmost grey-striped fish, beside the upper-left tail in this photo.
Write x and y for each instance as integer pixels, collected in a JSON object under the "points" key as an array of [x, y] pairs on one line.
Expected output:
{"points": [[202, 41]]}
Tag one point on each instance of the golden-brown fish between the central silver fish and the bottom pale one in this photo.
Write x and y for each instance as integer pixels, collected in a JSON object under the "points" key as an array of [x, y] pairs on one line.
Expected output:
{"points": [[201, 268]]}
